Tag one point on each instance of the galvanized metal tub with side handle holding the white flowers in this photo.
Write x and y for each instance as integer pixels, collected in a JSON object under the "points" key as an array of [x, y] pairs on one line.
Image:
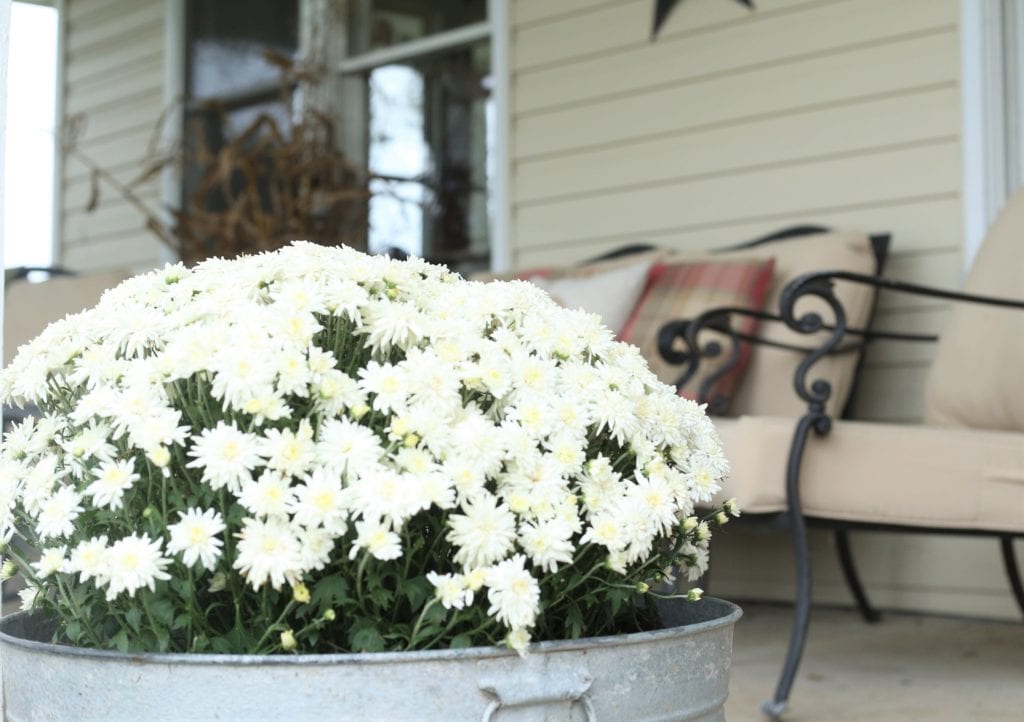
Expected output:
{"points": [[678, 673]]}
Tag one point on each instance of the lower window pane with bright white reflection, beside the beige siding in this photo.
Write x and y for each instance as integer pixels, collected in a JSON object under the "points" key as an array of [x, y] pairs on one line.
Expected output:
{"points": [[430, 143]]}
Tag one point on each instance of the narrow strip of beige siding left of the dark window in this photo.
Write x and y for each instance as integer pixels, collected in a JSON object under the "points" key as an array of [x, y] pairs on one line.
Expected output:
{"points": [[113, 79]]}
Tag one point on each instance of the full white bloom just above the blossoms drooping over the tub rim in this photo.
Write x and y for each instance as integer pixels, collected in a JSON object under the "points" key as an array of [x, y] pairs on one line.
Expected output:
{"points": [[484, 534]]}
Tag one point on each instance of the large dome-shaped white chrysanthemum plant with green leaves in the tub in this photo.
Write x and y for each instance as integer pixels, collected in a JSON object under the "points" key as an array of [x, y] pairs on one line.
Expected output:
{"points": [[320, 451]]}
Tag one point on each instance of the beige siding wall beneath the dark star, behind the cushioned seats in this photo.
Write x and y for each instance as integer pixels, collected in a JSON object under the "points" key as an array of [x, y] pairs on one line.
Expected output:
{"points": [[734, 124]]}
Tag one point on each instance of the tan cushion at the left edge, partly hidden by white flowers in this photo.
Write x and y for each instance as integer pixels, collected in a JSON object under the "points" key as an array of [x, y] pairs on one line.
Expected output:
{"points": [[31, 308]]}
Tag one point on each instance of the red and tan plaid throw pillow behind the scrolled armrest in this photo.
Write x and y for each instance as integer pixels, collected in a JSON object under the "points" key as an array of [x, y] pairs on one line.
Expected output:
{"points": [[678, 291]]}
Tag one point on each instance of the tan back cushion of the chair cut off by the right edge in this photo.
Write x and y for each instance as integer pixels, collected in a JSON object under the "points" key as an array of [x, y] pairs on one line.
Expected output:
{"points": [[977, 379]]}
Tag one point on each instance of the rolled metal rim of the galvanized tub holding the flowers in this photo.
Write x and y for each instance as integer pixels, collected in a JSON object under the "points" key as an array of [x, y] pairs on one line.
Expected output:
{"points": [[719, 613]]}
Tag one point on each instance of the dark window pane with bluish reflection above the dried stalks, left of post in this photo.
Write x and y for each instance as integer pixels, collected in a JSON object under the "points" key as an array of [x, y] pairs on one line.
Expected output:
{"points": [[227, 44]]}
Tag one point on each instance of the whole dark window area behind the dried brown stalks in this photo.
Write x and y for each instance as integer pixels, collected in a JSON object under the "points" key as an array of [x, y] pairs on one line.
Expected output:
{"points": [[410, 87]]}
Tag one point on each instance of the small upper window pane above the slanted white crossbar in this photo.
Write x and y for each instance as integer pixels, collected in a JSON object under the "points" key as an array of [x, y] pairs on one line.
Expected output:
{"points": [[377, 24]]}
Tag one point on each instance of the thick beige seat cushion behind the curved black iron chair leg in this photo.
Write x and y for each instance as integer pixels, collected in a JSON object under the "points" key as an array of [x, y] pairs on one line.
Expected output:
{"points": [[922, 477]]}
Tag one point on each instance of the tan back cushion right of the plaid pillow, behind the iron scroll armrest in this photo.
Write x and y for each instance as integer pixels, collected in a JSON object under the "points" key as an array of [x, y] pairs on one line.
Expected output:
{"points": [[767, 387]]}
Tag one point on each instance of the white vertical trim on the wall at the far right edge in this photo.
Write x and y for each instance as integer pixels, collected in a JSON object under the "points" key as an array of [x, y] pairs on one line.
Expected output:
{"points": [[993, 112]]}
